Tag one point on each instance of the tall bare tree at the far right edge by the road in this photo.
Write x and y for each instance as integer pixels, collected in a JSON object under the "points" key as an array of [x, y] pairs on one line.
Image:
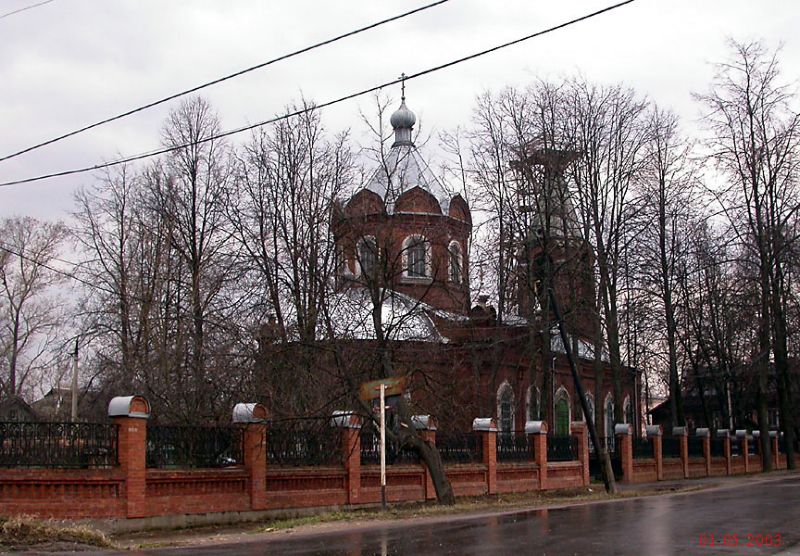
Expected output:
{"points": [[754, 142]]}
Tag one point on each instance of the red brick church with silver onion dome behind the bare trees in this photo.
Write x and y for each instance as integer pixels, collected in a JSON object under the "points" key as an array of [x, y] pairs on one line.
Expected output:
{"points": [[403, 247]]}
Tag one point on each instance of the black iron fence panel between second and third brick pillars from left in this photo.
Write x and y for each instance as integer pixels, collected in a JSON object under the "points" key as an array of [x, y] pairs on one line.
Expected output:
{"points": [[304, 442]]}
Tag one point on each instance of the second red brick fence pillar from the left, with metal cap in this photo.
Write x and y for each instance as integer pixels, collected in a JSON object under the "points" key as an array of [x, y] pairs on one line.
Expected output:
{"points": [[252, 417]]}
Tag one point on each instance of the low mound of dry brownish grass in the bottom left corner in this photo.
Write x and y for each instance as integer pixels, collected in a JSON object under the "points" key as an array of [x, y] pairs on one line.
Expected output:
{"points": [[27, 531]]}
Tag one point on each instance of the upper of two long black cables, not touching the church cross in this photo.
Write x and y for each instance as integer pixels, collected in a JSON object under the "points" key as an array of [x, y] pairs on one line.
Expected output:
{"points": [[225, 78]]}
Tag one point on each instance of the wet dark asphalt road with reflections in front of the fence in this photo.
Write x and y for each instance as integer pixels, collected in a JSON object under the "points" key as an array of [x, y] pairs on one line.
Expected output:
{"points": [[673, 524]]}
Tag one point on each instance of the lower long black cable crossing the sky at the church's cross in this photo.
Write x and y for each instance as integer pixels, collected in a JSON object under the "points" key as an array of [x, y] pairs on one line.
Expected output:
{"points": [[289, 115]]}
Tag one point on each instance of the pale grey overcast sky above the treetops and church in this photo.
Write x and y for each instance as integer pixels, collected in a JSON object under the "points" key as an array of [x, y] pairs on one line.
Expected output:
{"points": [[71, 62]]}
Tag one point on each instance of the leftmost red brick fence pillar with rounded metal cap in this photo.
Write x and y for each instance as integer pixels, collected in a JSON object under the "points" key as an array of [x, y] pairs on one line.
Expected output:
{"points": [[130, 414]]}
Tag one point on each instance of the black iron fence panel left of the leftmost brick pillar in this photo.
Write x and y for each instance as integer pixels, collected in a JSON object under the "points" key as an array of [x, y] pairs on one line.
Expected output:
{"points": [[67, 445]]}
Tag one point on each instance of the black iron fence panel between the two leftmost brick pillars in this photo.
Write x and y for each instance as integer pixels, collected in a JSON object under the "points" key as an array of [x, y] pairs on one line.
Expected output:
{"points": [[173, 447]]}
